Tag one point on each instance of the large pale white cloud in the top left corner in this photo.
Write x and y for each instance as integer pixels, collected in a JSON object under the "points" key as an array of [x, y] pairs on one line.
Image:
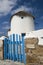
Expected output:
{"points": [[6, 6]]}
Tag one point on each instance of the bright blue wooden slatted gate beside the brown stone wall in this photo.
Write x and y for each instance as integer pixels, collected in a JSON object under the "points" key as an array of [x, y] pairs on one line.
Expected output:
{"points": [[14, 48]]}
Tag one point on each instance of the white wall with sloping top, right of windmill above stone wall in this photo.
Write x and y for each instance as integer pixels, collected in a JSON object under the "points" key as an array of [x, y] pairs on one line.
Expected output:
{"points": [[37, 34]]}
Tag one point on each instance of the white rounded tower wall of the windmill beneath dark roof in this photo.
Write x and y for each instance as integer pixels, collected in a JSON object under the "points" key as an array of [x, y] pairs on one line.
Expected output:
{"points": [[19, 25]]}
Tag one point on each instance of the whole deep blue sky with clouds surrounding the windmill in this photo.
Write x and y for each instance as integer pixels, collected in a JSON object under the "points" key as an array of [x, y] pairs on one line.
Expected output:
{"points": [[9, 7]]}
